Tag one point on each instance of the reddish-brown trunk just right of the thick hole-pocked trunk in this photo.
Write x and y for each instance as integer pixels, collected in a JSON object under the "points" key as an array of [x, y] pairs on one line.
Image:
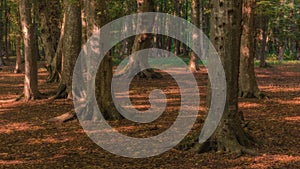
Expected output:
{"points": [[248, 87]]}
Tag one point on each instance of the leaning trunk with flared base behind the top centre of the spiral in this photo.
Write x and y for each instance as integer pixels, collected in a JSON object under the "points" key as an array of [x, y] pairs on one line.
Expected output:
{"points": [[141, 41]]}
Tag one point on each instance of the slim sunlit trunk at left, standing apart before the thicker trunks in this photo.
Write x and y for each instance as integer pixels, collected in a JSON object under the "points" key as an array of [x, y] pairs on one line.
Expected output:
{"points": [[30, 82]]}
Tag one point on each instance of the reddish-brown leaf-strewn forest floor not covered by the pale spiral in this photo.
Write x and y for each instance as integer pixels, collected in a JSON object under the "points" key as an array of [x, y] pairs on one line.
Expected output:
{"points": [[28, 140]]}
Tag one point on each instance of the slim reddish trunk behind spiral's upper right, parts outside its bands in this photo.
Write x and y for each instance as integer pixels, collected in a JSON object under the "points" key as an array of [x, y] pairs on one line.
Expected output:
{"points": [[194, 66]]}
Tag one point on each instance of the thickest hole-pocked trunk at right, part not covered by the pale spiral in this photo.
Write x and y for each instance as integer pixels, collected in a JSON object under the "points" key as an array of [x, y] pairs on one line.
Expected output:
{"points": [[225, 34]]}
